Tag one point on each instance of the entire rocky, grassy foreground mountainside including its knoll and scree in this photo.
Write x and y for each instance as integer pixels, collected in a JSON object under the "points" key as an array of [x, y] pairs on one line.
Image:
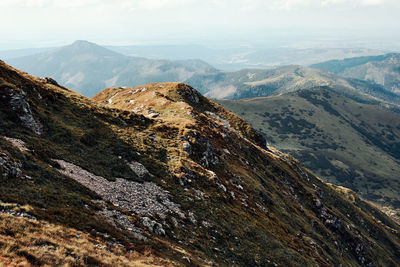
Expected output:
{"points": [[159, 175]]}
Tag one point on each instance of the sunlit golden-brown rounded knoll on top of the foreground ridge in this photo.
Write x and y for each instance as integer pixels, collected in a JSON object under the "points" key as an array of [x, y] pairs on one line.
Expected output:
{"points": [[176, 103]]}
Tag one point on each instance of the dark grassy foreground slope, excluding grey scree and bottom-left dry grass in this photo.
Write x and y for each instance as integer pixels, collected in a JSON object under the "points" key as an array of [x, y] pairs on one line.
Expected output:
{"points": [[272, 209]]}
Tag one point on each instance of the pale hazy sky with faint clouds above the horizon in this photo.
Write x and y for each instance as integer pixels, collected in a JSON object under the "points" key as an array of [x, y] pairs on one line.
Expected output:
{"points": [[26, 23]]}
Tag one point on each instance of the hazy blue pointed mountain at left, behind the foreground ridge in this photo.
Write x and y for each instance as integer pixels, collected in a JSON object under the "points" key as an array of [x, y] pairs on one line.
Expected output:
{"points": [[88, 68]]}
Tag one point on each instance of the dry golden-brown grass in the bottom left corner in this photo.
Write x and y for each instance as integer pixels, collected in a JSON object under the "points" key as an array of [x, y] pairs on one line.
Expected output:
{"points": [[26, 242]]}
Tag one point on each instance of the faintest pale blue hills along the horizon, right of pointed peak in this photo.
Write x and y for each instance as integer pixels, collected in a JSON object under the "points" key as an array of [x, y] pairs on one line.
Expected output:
{"points": [[231, 57]]}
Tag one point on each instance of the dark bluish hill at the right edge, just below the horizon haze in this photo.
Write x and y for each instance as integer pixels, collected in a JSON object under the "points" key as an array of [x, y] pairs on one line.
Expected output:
{"points": [[383, 70]]}
